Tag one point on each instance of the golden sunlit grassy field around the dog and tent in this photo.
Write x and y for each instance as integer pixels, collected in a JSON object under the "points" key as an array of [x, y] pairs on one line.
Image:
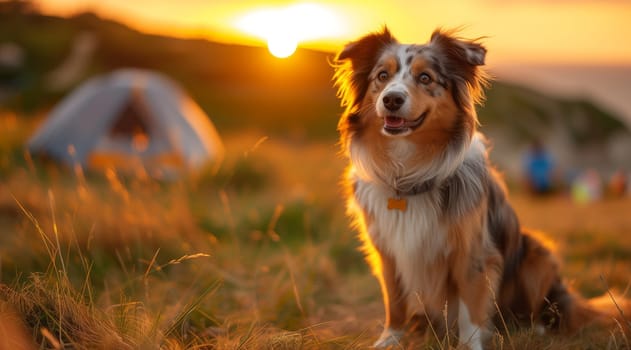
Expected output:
{"points": [[258, 256]]}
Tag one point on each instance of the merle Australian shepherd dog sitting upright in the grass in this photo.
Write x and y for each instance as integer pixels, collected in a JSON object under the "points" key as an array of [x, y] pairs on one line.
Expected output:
{"points": [[438, 231]]}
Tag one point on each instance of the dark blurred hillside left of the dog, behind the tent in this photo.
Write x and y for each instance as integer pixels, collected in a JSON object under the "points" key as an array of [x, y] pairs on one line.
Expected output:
{"points": [[238, 86]]}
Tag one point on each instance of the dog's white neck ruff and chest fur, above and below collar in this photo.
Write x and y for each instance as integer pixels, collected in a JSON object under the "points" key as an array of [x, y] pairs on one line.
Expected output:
{"points": [[417, 238]]}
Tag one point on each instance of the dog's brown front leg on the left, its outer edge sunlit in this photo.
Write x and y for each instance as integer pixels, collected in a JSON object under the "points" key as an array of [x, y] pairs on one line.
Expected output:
{"points": [[395, 304]]}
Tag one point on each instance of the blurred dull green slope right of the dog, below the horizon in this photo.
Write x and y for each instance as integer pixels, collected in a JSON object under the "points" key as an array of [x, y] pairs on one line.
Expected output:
{"points": [[578, 133]]}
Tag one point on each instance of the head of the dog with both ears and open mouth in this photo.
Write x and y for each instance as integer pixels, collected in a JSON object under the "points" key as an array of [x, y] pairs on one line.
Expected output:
{"points": [[427, 91]]}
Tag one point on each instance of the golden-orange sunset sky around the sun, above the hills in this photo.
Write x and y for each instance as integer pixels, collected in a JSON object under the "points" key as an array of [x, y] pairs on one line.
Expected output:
{"points": [[530, 31]]}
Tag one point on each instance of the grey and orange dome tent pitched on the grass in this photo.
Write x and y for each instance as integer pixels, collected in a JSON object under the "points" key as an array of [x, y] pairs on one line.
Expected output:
{"points": [[129, 120]]}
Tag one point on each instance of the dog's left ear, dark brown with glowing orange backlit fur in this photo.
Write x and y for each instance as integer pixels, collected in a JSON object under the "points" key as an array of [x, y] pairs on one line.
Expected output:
{"points": [[355, 62]]}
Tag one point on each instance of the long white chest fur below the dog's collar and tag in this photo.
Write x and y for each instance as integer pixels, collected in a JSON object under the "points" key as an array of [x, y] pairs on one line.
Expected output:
{"points": [[414, 238]]}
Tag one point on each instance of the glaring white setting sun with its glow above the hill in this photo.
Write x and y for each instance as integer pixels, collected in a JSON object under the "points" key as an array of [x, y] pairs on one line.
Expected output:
{"points": [[284, 28]]}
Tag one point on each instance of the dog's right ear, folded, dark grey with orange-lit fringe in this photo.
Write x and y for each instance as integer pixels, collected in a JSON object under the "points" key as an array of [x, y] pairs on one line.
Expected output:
{"points": [[460, 60]]}
